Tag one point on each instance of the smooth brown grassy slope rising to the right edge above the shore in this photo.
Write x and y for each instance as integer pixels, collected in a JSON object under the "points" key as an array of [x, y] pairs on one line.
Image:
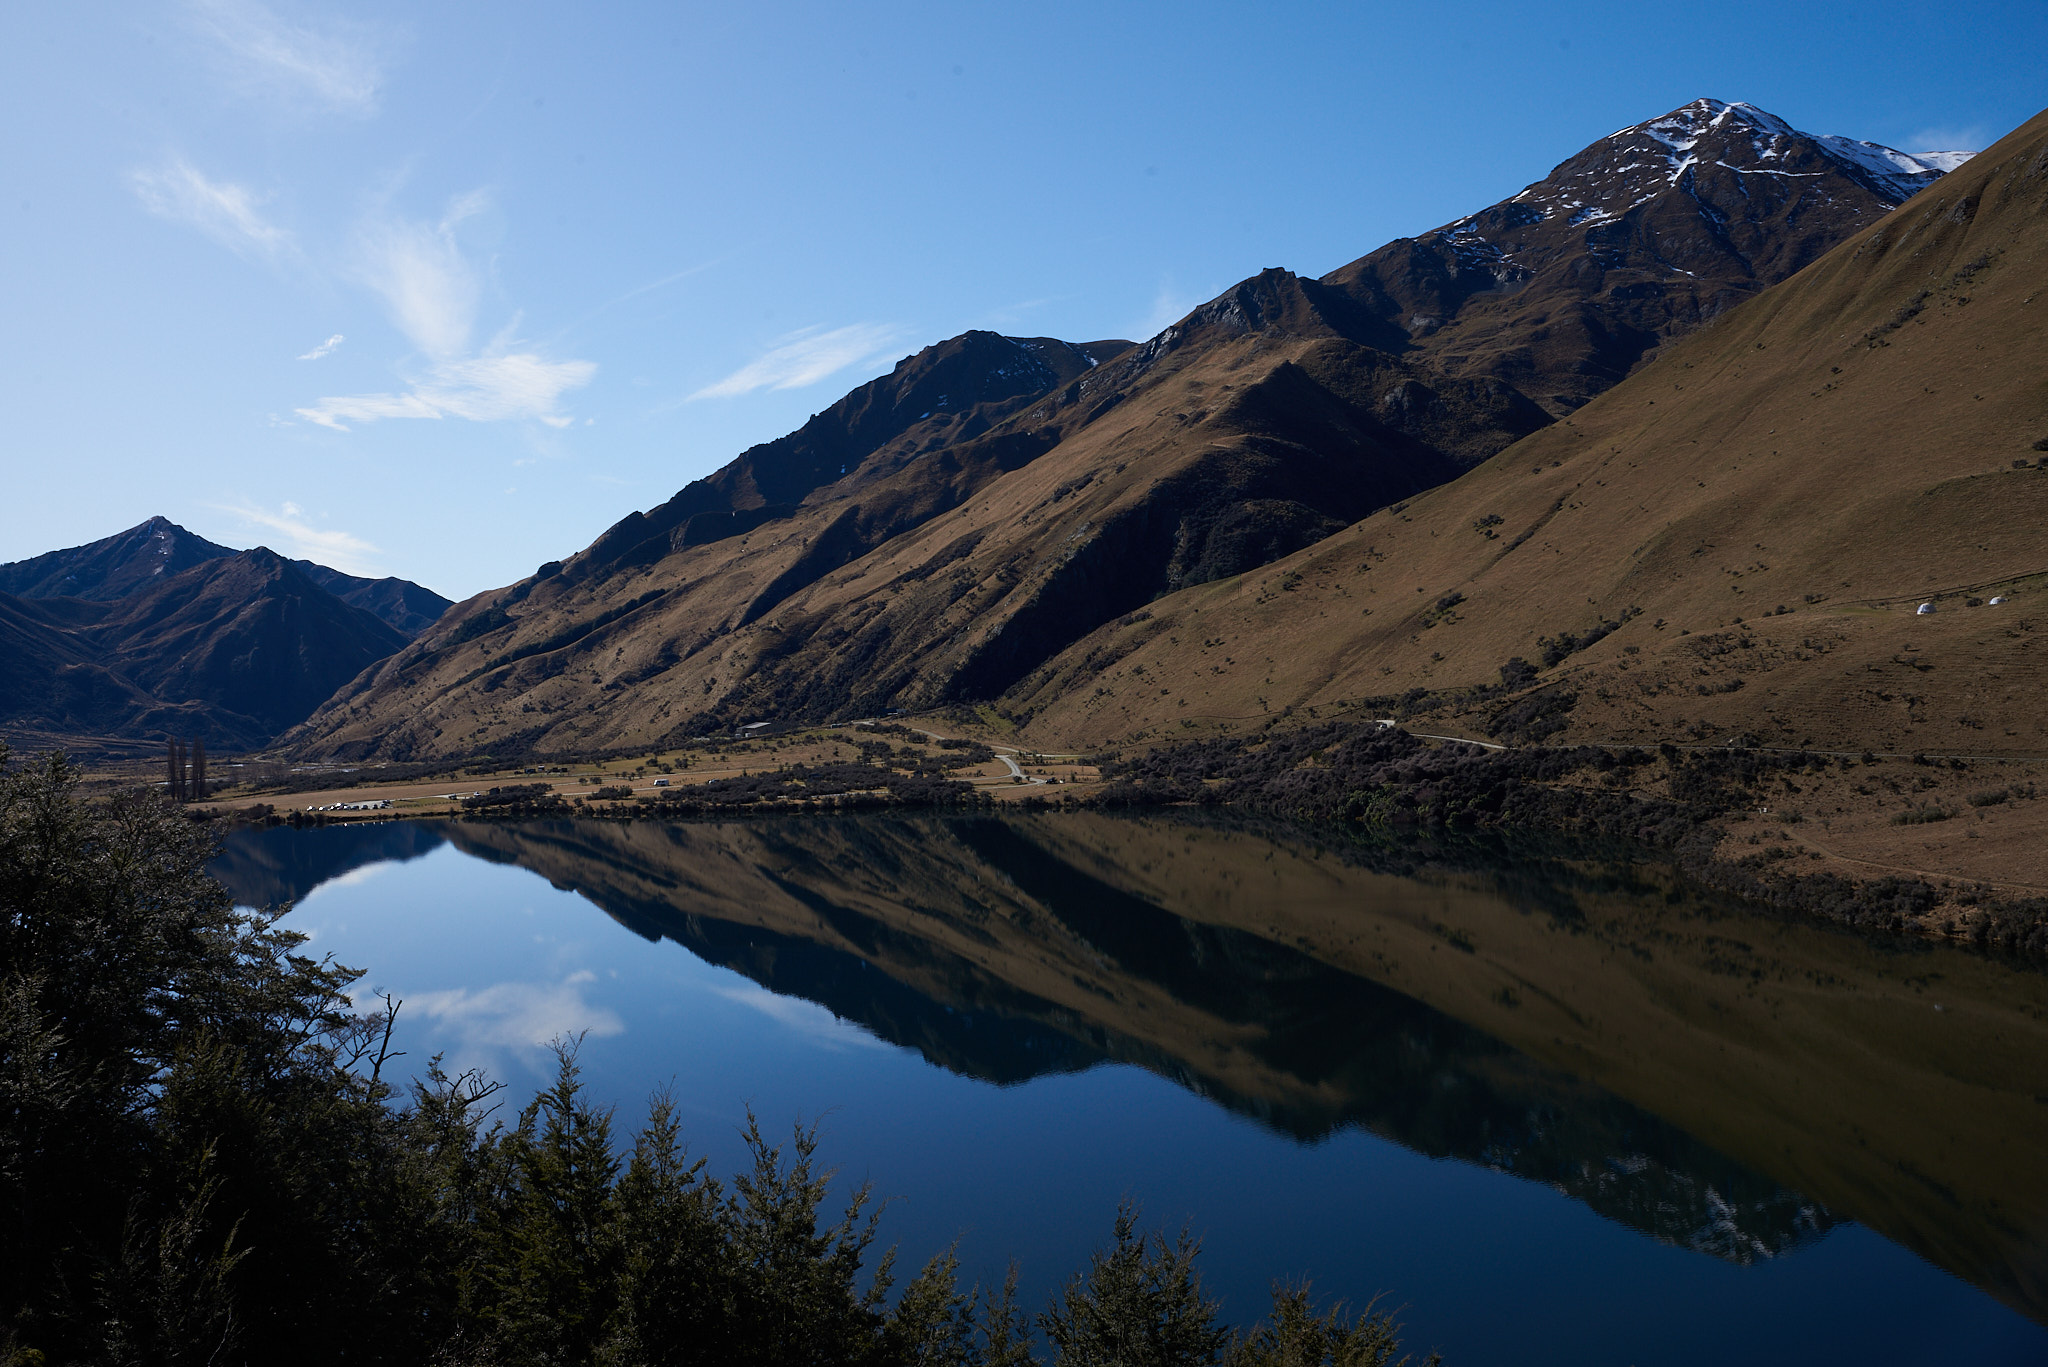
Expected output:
{"points": [[1766, 505]]}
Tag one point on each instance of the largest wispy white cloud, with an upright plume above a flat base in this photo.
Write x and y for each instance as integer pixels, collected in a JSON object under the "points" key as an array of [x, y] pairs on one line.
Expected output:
{"points": [[433, 294]]}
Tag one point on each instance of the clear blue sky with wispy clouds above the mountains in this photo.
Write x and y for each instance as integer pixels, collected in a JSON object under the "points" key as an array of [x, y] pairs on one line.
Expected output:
{"points": [[445, 290]]}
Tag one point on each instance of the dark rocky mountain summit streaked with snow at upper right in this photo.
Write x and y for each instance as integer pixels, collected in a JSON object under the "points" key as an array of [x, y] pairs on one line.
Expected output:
{"points": [[1654, 229]]}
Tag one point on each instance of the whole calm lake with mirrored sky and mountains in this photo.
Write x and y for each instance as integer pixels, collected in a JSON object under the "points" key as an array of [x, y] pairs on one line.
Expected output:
{"points": [[1560, 1110]]}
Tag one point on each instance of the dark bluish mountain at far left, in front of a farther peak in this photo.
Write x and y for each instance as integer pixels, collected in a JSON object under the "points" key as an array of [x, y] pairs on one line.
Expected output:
{"points": [[234, 651]]}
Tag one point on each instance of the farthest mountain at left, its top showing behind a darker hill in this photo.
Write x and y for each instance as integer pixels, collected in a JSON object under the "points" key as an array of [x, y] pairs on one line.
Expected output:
{"points": [[144, 556]]}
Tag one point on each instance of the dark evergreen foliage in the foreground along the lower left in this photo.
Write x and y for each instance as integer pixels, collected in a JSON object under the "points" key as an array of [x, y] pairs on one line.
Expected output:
{"points": [[202, 1161]]}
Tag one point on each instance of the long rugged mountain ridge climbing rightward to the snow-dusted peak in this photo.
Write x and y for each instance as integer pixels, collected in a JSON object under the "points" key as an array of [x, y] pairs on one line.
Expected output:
{"points": [[947, 530]]}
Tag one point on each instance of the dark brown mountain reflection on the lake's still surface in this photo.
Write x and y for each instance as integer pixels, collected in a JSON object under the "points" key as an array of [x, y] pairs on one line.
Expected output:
{"points": [[1594, 1028]]}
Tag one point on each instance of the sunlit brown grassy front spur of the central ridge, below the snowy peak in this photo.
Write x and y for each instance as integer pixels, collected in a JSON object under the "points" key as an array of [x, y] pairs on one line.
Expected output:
{"points": [[937, 569]]}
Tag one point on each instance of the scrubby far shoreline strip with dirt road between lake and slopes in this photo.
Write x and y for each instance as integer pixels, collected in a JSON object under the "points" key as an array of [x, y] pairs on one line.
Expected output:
{"points": [[1709, 813]]}
